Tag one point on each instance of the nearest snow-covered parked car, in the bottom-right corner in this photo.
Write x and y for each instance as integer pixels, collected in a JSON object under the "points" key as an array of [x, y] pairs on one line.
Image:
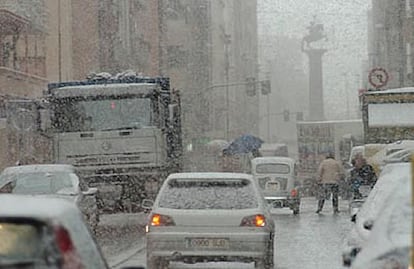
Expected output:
{"points": [[389, 243]]}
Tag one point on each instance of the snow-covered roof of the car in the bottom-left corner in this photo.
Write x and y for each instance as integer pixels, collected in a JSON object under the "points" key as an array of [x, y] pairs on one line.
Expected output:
{"points": [[40, 208]]}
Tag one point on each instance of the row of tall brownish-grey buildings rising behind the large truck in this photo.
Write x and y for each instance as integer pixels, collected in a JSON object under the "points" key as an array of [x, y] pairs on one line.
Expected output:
{"points": [[207, 47]]}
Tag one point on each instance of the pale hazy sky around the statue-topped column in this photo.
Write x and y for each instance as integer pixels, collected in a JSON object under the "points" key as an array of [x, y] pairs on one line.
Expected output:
{"points": [[345, 23]]}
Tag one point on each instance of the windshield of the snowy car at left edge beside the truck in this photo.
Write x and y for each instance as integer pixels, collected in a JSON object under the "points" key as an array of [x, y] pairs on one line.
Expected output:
{"points": [[41, 183]]}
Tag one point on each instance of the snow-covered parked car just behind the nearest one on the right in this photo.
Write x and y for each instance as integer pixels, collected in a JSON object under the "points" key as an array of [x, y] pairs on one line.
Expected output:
{"points": [[365, 217]]}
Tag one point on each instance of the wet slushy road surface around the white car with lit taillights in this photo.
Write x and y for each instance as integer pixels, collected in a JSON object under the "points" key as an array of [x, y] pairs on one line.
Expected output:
{"points": [[308, 240]]}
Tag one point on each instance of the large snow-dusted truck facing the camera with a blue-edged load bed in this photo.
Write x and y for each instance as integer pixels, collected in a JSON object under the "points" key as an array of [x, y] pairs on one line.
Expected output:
{"points": [[123, 135]]}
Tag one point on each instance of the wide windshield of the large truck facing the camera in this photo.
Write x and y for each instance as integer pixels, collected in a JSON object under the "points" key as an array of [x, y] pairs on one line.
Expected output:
{"points": [[102, 115]]}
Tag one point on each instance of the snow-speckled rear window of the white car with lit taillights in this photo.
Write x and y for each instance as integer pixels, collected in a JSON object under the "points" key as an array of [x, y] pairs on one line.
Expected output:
{"points": [[208, 195]]}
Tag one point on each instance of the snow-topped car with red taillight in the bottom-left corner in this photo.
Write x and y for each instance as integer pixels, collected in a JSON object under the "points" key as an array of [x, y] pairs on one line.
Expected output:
{"points": [[44, 232]]}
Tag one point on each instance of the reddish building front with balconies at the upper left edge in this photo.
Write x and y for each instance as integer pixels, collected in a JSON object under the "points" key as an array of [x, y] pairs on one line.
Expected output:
{"points": [[22, 56]]}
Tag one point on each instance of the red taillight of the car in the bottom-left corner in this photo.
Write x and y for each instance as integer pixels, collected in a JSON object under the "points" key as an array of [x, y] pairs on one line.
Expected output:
{"points": [[70, 258]]}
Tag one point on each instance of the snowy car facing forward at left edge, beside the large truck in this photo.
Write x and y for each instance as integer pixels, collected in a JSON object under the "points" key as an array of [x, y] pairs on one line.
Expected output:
{"points": [[57, 180]]}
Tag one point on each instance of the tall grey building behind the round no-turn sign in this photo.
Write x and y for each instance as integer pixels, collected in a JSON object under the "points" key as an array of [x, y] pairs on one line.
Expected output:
{"points": [[391, 40]]}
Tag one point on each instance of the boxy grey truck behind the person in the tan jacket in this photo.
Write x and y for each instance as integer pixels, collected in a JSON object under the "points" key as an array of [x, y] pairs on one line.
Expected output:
{"points": [[317, 138]]}
